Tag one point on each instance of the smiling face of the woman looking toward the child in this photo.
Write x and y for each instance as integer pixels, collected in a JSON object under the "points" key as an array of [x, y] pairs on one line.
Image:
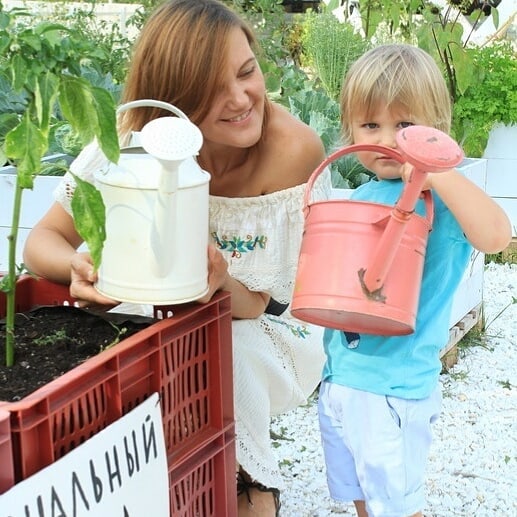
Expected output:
{"points": [[237, 112]]}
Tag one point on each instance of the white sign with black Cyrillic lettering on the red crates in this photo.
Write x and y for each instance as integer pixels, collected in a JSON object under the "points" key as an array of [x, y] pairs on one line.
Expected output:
{"points": [[119, 472]]}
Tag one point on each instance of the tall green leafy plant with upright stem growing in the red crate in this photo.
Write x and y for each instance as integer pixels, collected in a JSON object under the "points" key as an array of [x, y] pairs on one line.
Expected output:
{"points": [[41, 61]]}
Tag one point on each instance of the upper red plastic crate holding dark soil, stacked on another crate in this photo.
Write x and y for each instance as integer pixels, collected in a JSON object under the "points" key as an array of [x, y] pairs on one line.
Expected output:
{"points": [[186, 358]]}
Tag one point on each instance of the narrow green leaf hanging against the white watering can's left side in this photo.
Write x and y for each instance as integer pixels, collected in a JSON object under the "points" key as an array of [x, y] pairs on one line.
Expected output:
{"points": [[89, 217]]}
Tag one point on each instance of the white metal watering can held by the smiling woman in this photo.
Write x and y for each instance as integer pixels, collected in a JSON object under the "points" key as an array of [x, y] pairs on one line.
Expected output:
{"points": [[156, 201]]}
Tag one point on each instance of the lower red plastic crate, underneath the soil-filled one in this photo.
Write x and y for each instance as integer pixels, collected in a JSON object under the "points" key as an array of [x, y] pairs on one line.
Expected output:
{"points": [[205, 485]]}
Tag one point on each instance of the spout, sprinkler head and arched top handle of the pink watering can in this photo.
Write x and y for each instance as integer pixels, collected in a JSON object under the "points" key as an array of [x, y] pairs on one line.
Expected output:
{"points": [[428, 150]]}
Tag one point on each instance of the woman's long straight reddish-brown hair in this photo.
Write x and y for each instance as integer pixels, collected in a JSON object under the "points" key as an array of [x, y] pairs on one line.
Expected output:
{"points": [[180, 58]]}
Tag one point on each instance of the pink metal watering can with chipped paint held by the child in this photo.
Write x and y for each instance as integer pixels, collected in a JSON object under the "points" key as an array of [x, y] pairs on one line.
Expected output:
{"points": [[360, 265]]}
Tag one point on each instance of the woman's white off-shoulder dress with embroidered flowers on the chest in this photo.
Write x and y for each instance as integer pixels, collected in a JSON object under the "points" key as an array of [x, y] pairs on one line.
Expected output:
{"points": [[277, 360]]}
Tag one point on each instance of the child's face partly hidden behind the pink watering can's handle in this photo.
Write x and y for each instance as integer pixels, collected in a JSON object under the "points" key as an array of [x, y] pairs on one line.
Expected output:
{"points": [[380, 128]]}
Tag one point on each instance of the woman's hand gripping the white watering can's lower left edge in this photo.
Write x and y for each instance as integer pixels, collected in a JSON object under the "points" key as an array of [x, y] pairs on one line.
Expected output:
{"points": [[82, 278]]}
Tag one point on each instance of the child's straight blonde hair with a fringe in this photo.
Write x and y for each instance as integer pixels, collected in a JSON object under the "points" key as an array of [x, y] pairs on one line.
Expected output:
{"points": [[399, 76]]}
